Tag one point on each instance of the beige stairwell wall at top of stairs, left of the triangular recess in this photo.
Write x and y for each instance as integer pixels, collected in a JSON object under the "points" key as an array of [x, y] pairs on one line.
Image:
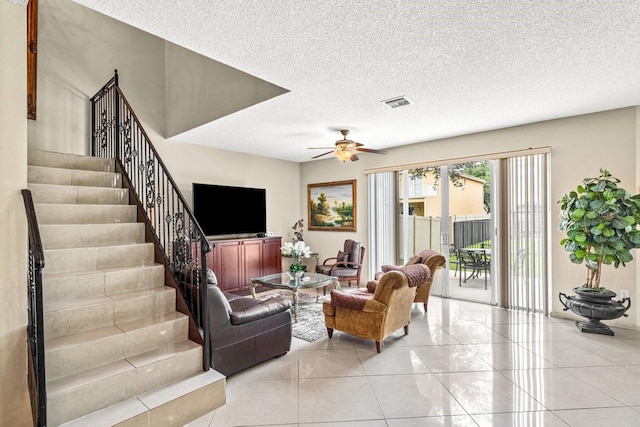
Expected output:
{"points": [[78, 49]]}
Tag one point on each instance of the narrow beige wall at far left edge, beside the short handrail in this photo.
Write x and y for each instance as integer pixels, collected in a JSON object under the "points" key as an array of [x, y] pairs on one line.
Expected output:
{"points": [[14, 399]]}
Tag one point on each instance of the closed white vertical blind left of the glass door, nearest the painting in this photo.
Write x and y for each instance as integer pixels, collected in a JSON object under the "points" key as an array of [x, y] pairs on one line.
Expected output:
{"points": [[382, 208]]}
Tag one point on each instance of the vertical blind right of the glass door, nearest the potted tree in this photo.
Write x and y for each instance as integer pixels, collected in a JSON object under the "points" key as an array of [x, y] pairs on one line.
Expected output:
{"points": [[525, 191]]}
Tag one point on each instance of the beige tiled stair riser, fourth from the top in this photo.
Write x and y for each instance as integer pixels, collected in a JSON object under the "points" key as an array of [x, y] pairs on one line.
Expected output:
{"points": [[84, 214]]}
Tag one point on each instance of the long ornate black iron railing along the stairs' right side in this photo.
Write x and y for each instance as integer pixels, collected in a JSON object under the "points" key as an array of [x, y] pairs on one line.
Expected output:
{"points": [[117, 133]]}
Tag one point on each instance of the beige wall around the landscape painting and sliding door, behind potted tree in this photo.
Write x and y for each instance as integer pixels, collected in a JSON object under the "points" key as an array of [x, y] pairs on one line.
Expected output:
{"points": [[580, 146]]}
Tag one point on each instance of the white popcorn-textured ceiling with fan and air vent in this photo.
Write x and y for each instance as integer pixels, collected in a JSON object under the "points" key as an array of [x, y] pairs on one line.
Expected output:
{"points": [[467, 66]]}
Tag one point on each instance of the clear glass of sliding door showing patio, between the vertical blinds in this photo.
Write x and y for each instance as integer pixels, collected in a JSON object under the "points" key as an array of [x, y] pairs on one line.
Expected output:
{"points": [[448, 209]]}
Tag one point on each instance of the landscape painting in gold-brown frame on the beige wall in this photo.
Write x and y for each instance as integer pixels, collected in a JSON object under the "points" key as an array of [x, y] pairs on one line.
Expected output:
{"points": [[332, 206]]}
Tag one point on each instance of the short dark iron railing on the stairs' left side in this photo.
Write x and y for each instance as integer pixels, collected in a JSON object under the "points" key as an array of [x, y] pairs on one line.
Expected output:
{"points": [[35, 326]]}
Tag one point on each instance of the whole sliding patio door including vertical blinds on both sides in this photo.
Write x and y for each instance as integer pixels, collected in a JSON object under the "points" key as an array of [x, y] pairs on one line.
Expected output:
{"points": [[489, 218]]}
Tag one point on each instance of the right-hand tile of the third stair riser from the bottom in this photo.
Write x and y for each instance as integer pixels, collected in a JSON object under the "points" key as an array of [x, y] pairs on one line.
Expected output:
{"points": [[155, 336]]}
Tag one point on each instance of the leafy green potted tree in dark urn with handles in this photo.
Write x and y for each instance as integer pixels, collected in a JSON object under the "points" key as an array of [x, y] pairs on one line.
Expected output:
{"points": [[602, 225]]}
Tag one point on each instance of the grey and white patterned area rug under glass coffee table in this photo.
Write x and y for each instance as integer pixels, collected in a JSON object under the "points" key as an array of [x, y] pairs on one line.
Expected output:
{"points": [[310, 325]]}
